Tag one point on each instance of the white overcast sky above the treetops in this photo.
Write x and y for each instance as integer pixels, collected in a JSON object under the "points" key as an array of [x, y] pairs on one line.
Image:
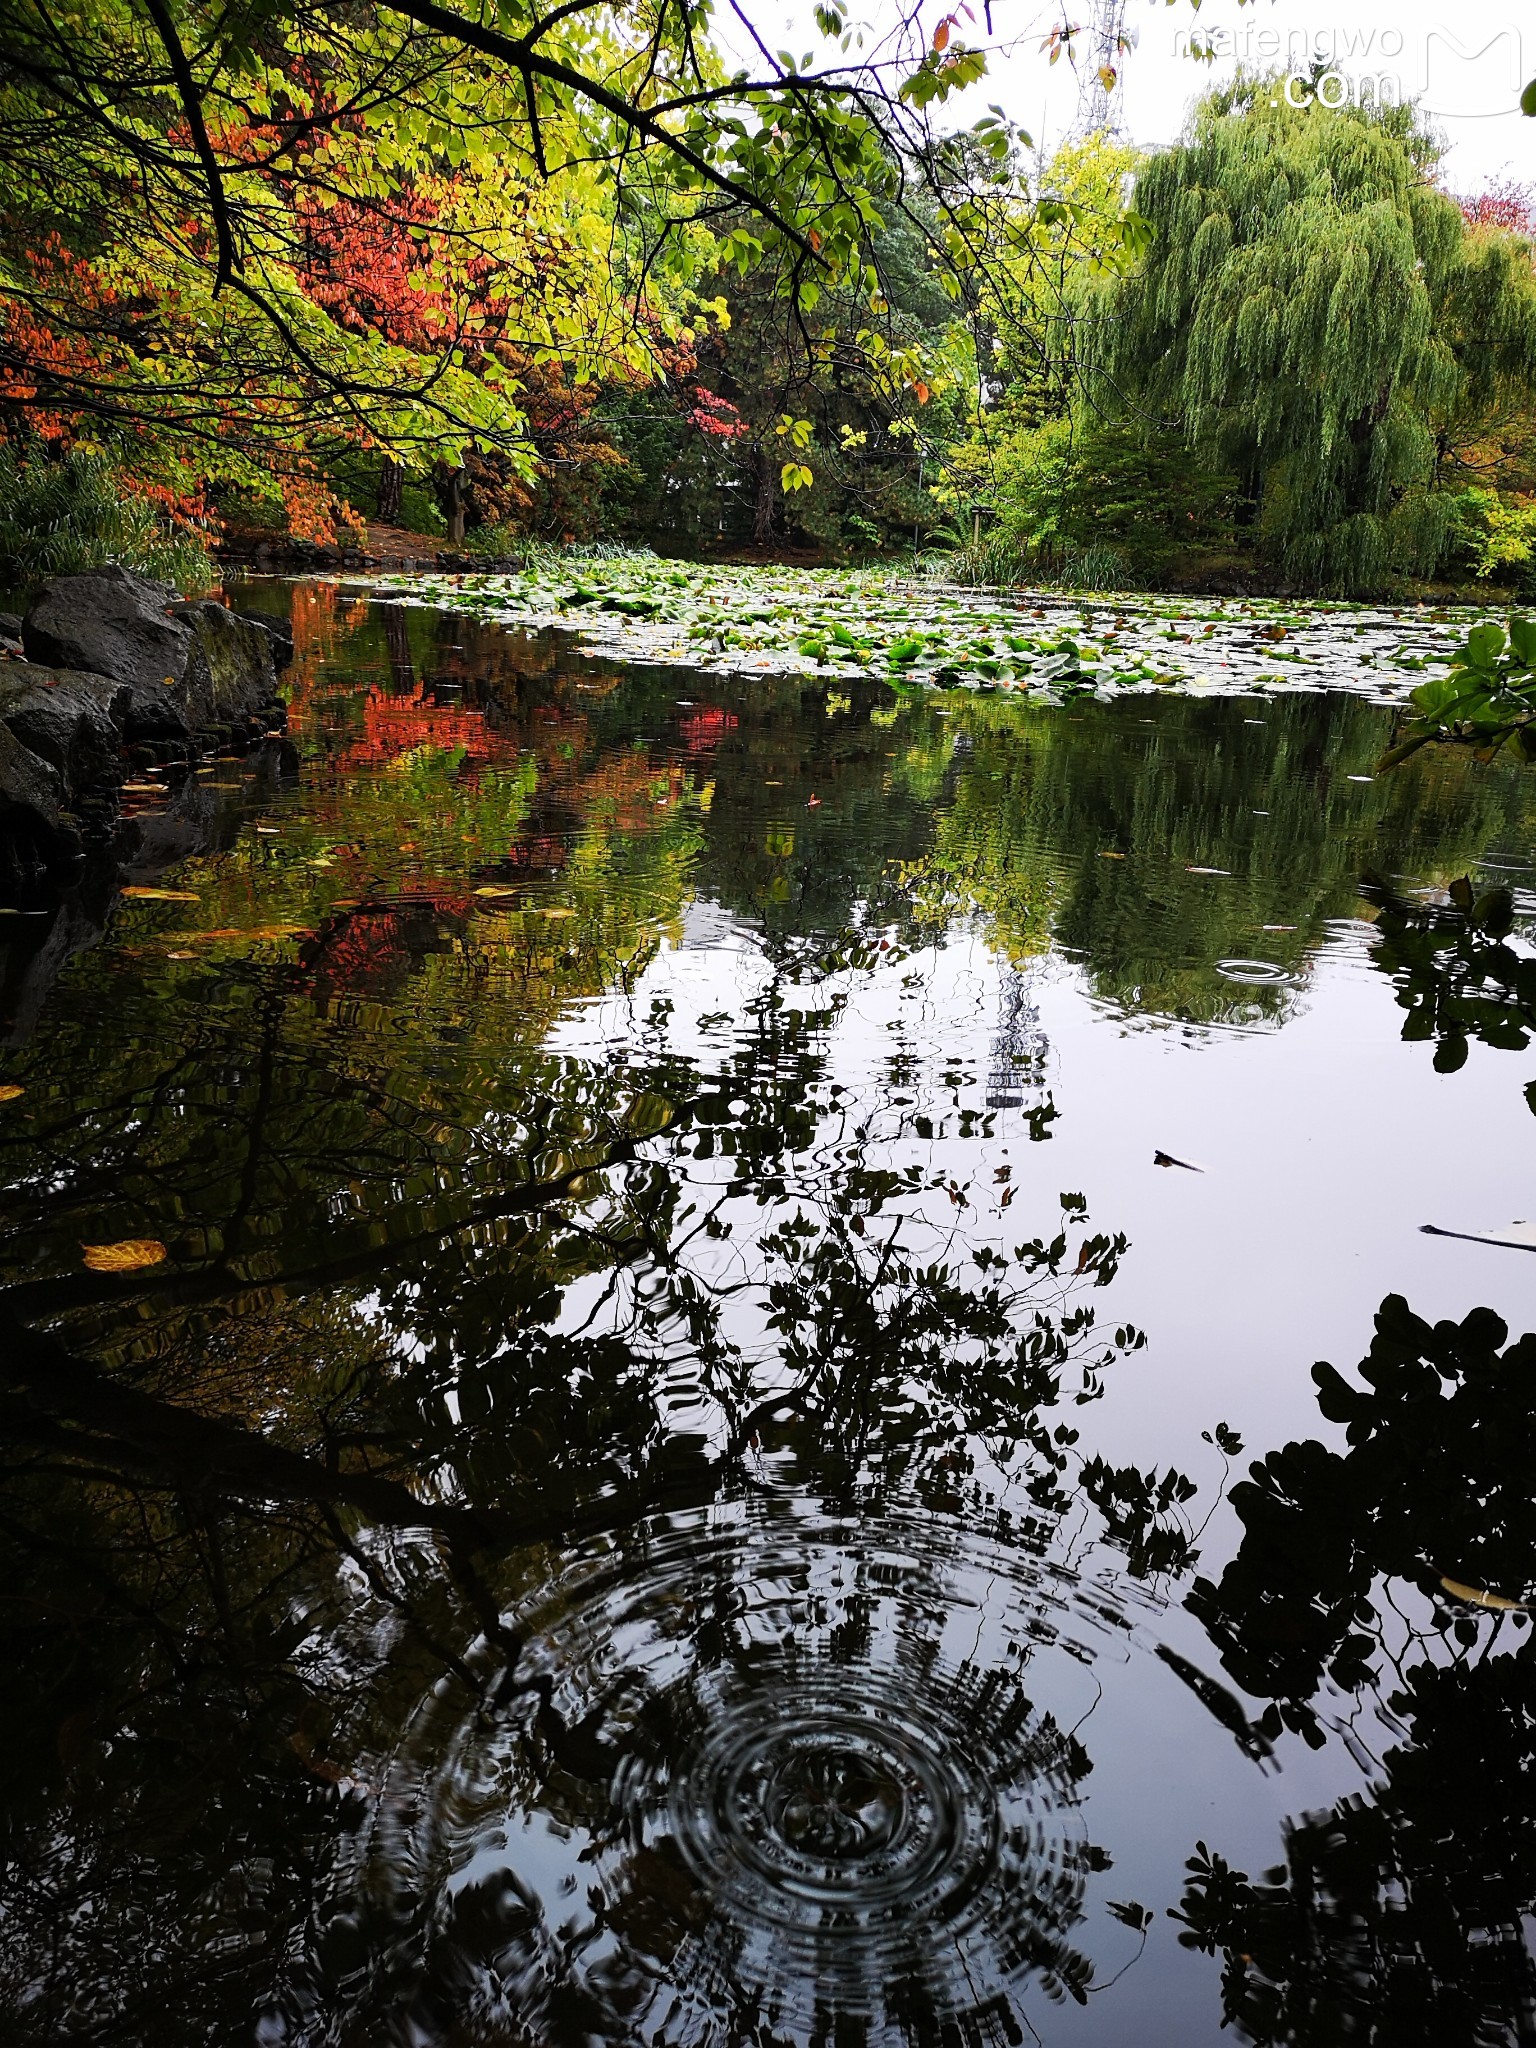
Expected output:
{"points": [[1465, 65]]}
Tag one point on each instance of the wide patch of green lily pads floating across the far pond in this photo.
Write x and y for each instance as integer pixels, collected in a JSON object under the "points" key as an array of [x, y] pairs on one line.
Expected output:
{"points": [[921, 634]]}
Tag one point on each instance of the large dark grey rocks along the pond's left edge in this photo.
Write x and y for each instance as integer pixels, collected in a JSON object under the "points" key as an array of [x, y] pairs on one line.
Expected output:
{"points": [[110, 675]]}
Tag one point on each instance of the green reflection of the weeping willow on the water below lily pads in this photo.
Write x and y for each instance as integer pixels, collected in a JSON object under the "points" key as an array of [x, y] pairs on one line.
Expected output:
{"points": [[1091, 826]]}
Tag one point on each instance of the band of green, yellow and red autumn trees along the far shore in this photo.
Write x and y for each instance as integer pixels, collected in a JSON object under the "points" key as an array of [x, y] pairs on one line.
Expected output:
{"points": [[1277, 361]]}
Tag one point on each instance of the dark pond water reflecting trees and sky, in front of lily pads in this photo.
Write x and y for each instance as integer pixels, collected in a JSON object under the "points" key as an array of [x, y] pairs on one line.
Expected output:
{"points": [[726, 1447]]}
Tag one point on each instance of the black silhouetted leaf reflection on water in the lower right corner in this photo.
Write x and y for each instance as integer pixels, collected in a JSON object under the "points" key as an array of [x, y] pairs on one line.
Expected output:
{"points": [[1394, 1568]]}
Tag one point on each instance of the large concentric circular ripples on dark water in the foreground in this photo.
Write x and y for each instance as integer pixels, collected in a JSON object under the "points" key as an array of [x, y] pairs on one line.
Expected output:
{"points": [[759, 1768]]}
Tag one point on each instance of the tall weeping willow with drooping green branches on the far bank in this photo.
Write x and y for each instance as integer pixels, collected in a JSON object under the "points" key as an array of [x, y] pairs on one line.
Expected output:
{"points": [[1318, 321]]}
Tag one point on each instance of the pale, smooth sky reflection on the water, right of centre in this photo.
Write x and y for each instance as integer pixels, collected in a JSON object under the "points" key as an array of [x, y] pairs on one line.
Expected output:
{"points": [[1326, 1144]]}
